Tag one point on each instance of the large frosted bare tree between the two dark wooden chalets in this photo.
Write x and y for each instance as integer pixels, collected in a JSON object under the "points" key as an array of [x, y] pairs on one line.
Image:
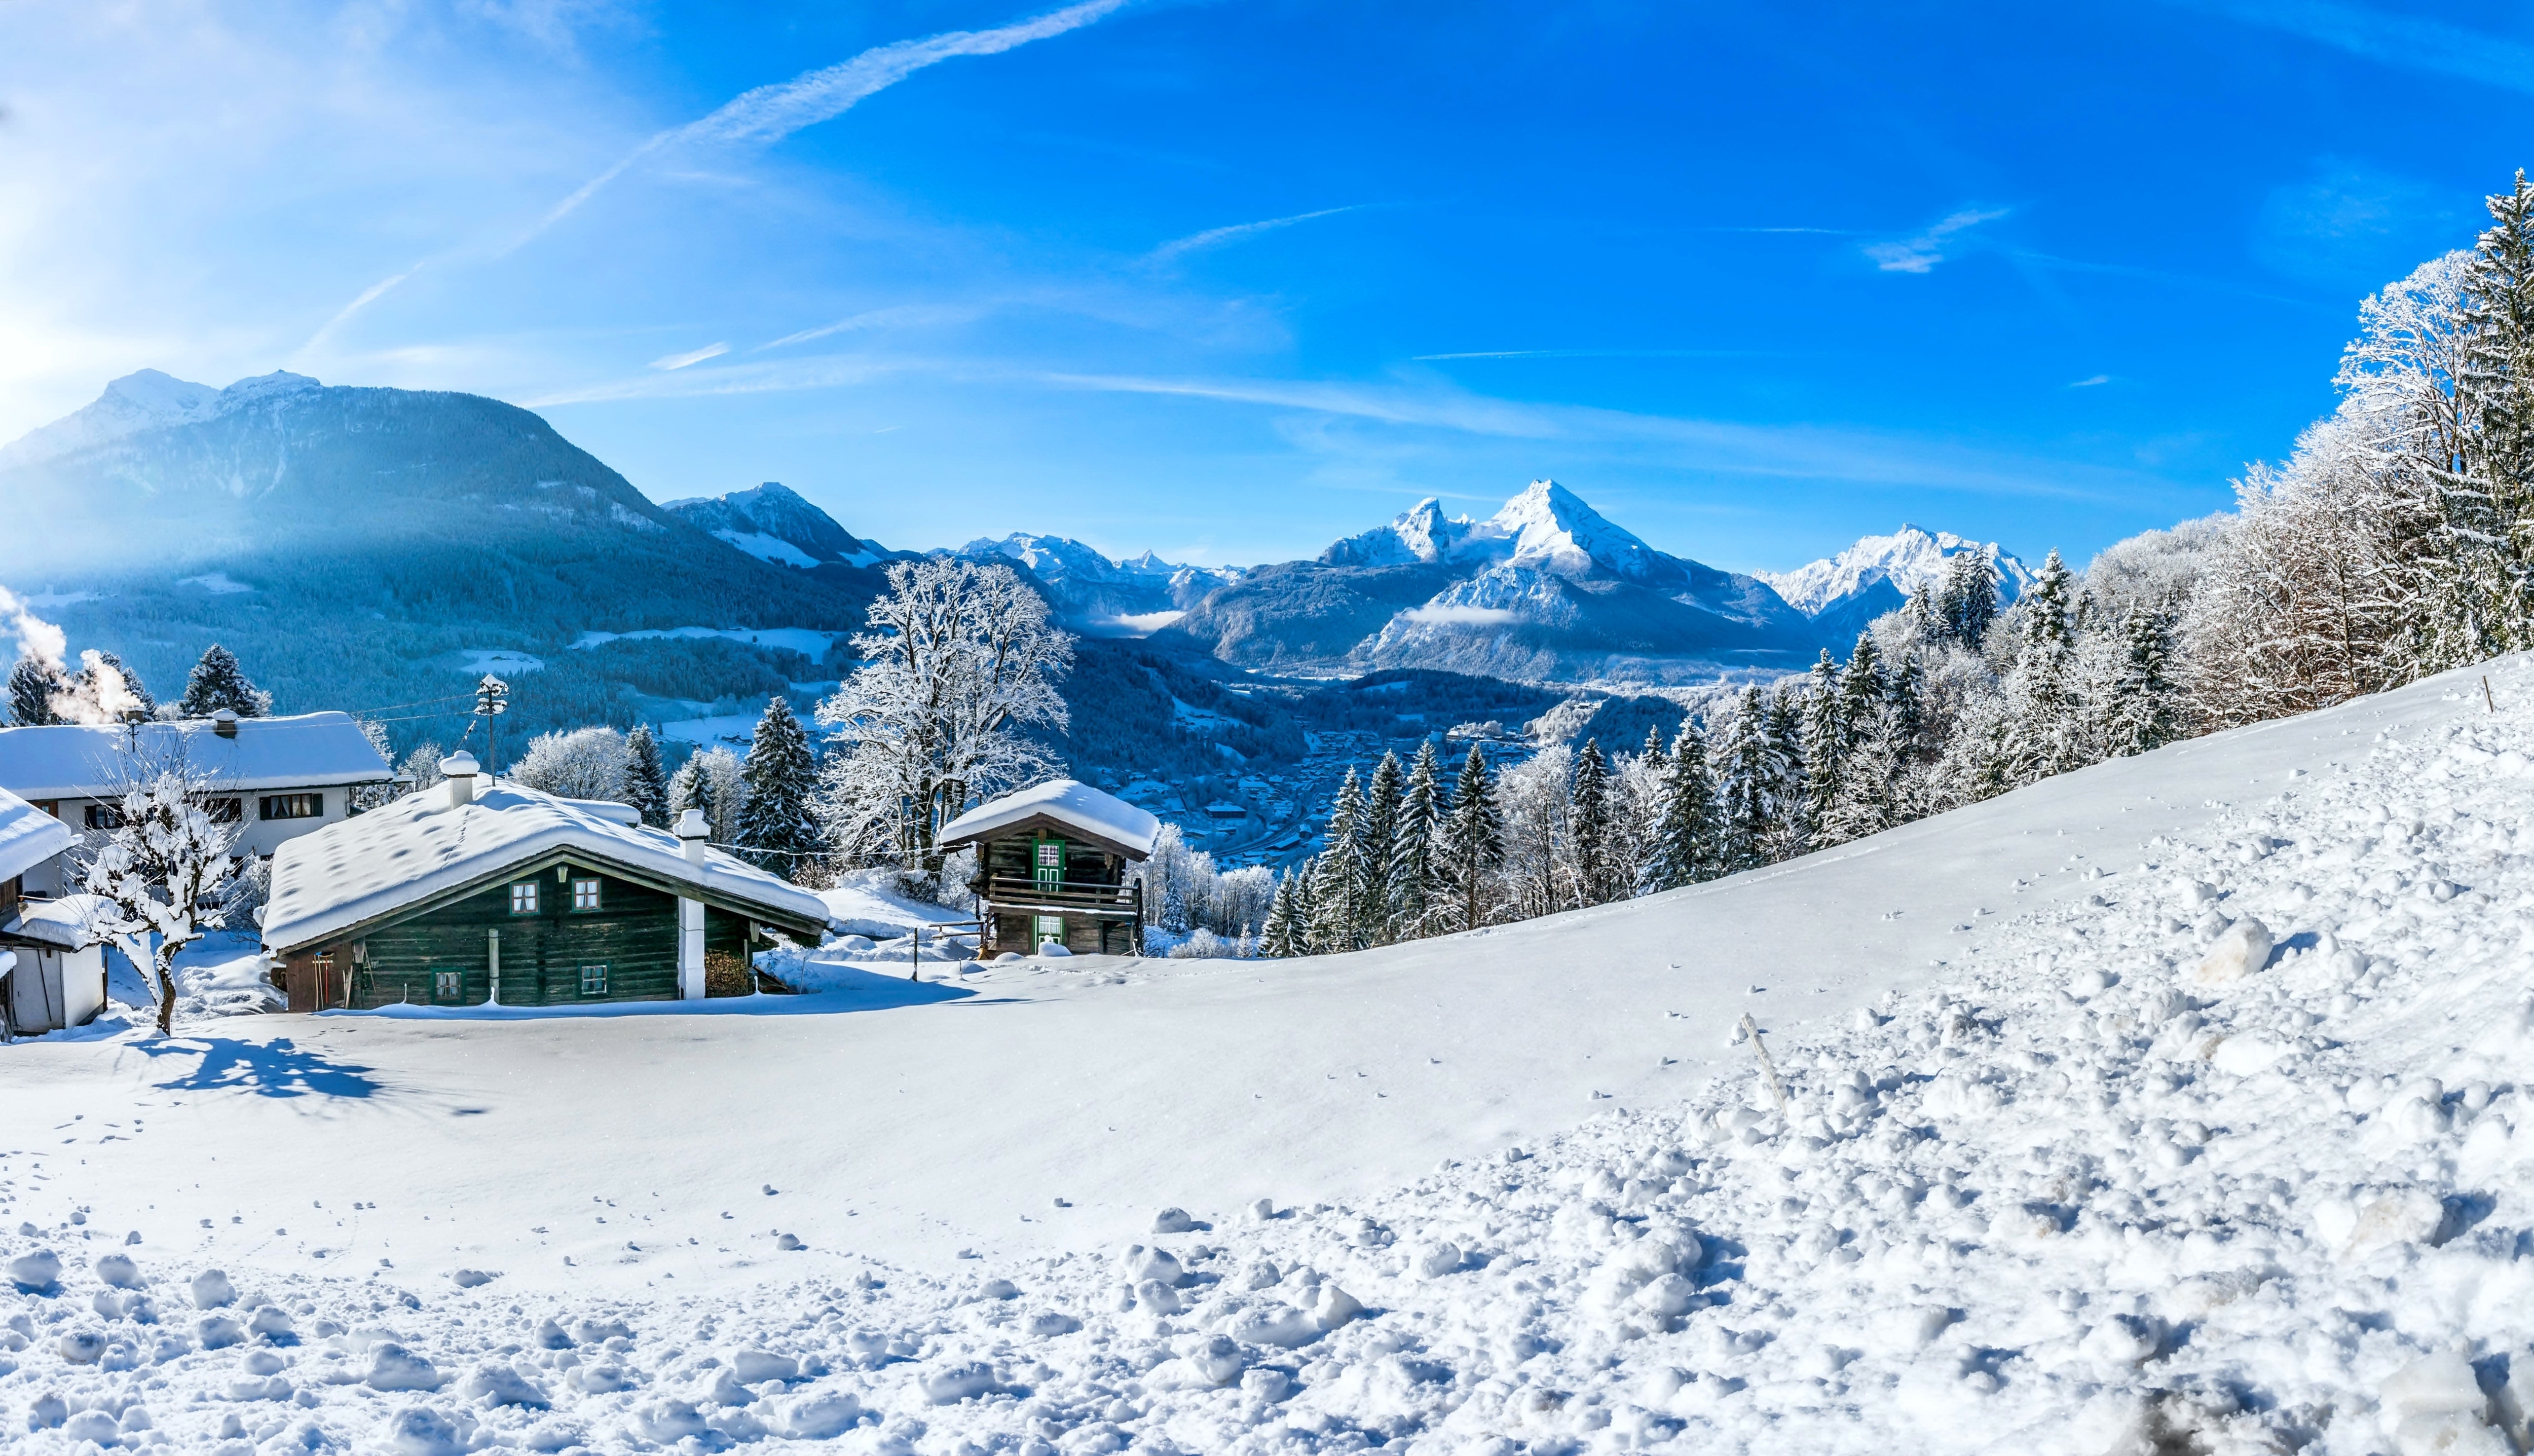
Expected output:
{"points": [[959, 660]]}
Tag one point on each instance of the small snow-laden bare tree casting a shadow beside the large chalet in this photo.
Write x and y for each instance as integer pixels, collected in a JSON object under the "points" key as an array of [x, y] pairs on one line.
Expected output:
{"points": [[163, 865]]}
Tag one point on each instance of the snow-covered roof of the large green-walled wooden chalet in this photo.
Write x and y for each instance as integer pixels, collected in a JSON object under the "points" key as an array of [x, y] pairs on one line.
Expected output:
{"points": [[419, 847]]}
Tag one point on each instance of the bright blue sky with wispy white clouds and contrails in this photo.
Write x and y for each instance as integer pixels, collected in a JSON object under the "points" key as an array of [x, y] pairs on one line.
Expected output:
{"points": [[1230, 280]]}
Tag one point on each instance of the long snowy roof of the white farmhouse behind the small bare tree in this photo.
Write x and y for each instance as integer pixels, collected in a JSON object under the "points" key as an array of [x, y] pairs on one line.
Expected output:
{"points": [[82, 761]]}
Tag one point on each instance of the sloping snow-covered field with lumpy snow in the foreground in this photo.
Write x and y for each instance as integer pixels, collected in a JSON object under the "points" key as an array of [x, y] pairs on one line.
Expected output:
{"points": [[2072, 1164]]}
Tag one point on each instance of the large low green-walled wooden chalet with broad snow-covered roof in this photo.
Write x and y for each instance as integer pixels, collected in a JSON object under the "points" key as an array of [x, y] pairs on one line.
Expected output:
{"points": [[516, 898]]}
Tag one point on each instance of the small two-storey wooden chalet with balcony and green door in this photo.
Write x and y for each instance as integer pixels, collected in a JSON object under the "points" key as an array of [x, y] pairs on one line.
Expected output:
{"points": [[1050, 867]]}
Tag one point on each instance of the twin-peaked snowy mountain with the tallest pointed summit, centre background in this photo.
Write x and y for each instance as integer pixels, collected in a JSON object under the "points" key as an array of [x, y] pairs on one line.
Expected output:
{"points": [[1544, 589]]}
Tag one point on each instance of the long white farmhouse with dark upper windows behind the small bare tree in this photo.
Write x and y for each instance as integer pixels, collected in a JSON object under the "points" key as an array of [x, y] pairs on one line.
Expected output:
{"points": [[277, 779]]}
